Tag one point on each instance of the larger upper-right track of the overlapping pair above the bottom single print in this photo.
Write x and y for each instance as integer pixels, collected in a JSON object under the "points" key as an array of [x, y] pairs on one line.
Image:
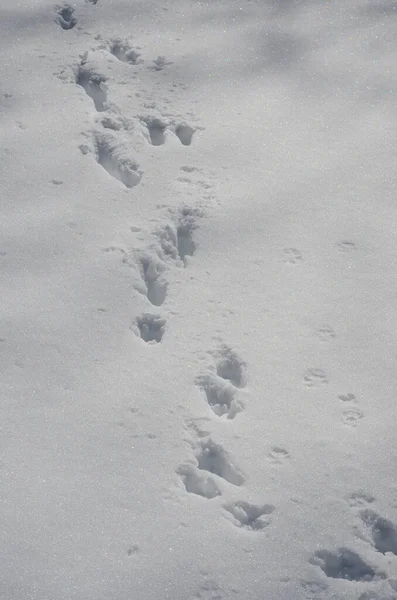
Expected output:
{"points": [[212, 458]]}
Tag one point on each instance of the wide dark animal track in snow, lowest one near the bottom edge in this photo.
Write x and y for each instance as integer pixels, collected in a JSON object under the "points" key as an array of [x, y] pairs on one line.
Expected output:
{"points": [[345, 564]]}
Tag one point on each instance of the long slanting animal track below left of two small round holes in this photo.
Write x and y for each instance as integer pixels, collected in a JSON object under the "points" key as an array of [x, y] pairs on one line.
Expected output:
{"points": [[110, 155]]}
